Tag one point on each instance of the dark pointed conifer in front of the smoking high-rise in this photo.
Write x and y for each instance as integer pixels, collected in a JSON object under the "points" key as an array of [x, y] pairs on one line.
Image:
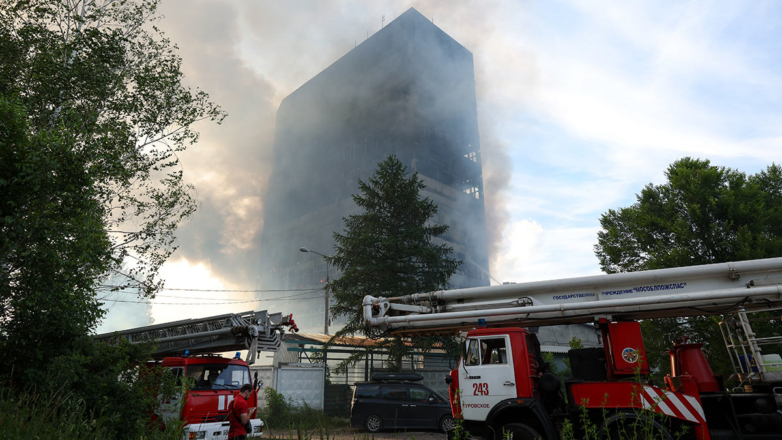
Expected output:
{"points": [[389, 250]]}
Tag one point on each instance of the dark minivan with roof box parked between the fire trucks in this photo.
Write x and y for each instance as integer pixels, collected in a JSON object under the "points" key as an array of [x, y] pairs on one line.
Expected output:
{"points": [[393, 401]]}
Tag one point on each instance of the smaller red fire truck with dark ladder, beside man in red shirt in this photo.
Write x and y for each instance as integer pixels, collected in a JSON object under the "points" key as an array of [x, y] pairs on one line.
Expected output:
{"points": [[188, 349]]}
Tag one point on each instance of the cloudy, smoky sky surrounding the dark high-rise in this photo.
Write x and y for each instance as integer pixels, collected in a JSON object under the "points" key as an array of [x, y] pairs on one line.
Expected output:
{"points": [[580, 105]]}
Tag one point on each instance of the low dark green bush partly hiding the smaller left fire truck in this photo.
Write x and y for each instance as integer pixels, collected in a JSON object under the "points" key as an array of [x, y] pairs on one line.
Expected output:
{"points": [[101, 383]]}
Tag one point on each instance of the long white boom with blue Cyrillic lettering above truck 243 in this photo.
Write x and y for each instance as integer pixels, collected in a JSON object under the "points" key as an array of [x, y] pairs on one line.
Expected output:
{"points": [[684, 291]]}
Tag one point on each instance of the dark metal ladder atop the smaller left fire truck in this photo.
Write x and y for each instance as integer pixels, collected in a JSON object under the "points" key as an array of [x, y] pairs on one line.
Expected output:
{"points": [[254, 331]]}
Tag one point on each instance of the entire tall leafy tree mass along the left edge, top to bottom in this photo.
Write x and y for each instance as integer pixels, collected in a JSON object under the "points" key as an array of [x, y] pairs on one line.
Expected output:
{"points": [[93, 113]]}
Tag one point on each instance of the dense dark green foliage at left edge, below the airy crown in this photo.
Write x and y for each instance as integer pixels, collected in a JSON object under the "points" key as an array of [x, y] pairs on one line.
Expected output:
{"points": [[46, 278]]}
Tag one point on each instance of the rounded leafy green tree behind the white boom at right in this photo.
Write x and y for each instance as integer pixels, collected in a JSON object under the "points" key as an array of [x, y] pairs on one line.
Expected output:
{"points": [[703, 214]]}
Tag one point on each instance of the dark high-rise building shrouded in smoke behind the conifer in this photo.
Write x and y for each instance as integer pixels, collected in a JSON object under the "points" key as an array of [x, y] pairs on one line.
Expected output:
{"points": [[408, 90]]}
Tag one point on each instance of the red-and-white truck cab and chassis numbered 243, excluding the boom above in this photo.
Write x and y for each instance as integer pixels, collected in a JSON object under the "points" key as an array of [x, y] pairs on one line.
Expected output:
{"points": [[502, 384]]}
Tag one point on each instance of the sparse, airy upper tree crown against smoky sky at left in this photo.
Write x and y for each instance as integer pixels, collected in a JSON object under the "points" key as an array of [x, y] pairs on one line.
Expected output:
{"points": [[104, 74]]}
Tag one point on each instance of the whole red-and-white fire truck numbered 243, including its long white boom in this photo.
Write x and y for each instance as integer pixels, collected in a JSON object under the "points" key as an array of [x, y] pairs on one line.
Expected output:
{"points": [[501, 384]]}
